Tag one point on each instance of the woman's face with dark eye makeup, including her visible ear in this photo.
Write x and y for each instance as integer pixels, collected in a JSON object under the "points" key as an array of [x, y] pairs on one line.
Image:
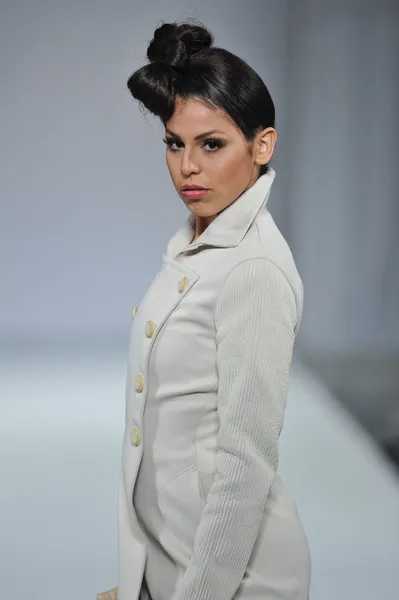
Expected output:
{"points": [[206, 148]]}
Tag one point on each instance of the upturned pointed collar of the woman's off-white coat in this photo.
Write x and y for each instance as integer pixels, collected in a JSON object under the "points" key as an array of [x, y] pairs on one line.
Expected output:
{"points": [[230, 226]]}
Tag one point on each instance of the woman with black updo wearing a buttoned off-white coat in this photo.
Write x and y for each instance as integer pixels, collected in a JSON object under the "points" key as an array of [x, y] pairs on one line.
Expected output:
{"points": [[203, 513]]}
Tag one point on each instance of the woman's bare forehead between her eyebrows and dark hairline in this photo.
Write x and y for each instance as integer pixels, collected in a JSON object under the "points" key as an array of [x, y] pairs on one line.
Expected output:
{"points": [[193, 116]]}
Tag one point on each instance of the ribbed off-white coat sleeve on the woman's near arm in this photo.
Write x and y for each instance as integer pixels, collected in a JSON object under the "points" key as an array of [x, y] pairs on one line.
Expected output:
{"points": [[256, 321]]}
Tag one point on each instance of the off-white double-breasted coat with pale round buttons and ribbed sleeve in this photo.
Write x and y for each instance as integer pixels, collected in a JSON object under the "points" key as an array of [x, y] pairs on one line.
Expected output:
{"points": [[203, 513]]}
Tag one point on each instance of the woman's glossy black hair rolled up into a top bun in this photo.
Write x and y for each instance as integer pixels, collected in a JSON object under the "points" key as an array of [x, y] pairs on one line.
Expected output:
{"points": [[184, 63]]}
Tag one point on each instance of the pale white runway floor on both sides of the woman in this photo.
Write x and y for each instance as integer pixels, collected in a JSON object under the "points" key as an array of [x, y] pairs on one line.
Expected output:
{"points": [[60, 439]]}
